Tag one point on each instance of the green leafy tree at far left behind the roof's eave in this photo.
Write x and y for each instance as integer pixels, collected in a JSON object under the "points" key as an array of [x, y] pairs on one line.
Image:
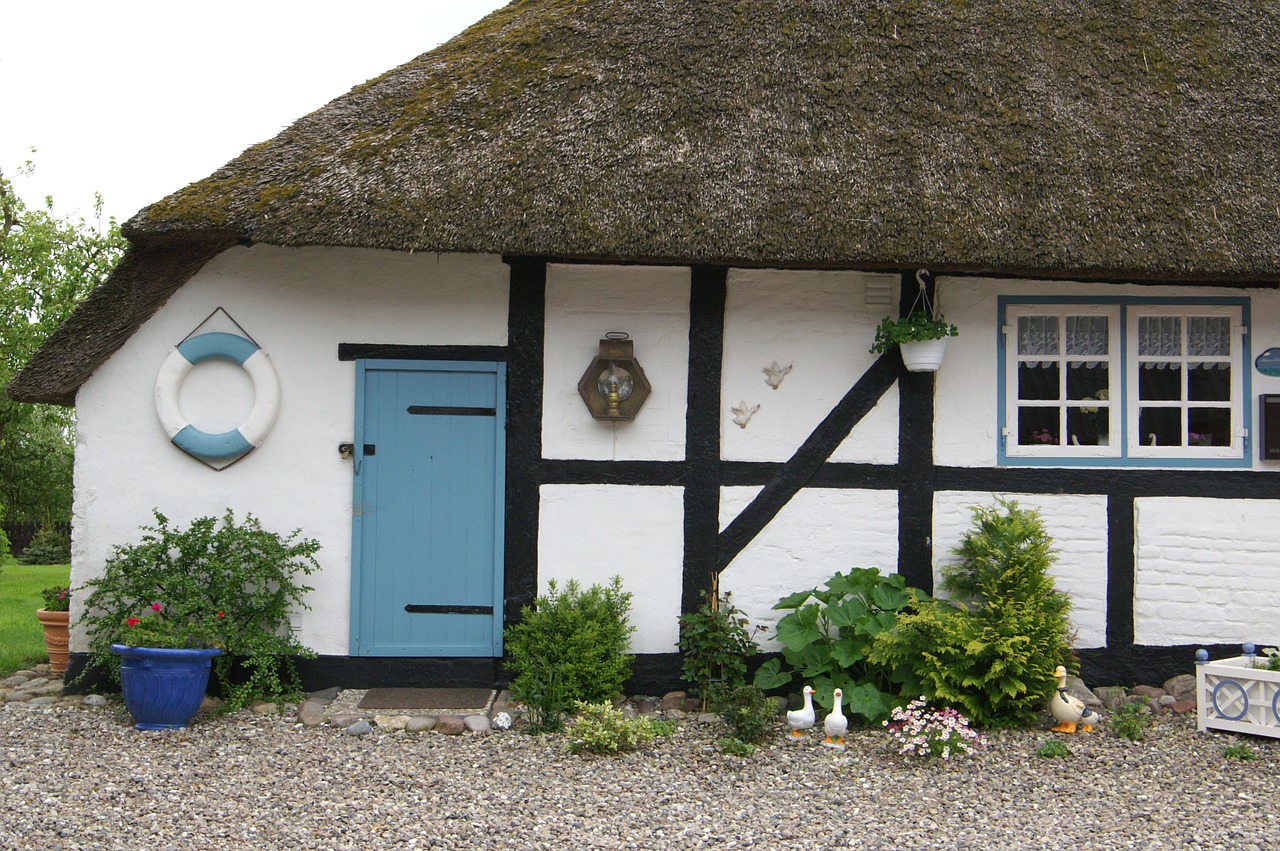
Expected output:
{"points": [[48, 264]]}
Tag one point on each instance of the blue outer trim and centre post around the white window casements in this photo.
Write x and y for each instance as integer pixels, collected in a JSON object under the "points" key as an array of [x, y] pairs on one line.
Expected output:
{"points": [[1246, 364]]}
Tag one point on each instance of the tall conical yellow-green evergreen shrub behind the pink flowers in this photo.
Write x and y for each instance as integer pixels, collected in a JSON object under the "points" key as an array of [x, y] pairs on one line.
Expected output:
{"points": [[994, 648]]}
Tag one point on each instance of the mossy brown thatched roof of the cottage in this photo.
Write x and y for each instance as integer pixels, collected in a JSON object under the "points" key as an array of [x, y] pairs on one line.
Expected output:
{"points": [[1099, 139]]}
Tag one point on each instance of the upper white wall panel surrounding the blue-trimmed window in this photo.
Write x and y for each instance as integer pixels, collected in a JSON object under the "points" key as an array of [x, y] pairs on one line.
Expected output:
{"points": [[966, 428]]}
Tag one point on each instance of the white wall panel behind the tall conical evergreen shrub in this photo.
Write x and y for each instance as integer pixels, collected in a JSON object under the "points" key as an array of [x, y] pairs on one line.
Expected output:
{"points": [[1078, 524]]}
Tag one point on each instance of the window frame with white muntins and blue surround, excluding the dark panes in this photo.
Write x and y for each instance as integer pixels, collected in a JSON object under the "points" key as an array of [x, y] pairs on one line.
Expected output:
{"points": [[1124, 447]]}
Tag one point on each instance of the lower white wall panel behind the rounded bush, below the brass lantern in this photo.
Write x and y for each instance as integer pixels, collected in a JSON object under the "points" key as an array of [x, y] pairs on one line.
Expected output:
{"points": [[593, 533]]}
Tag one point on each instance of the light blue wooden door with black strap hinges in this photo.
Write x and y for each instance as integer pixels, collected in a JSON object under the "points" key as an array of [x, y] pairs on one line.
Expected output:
{"points": [[428, 514]]}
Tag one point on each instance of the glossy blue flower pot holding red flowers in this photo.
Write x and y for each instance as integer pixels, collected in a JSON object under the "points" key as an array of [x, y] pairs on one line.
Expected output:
{"points": [[163, 688]]}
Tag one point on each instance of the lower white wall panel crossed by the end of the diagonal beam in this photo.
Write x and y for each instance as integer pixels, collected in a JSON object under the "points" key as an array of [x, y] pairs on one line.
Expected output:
{"points": [[819, 533]]}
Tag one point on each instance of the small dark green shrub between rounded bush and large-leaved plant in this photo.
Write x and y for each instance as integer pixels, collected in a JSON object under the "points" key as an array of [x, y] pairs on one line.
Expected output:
{"points": [[716, 643]]}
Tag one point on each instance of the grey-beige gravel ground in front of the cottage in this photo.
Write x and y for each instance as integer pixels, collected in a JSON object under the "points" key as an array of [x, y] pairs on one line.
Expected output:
{"points": [[84, 779]]}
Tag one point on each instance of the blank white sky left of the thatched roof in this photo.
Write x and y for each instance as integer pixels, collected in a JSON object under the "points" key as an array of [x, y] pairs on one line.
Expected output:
{"points": [[140, 98]]}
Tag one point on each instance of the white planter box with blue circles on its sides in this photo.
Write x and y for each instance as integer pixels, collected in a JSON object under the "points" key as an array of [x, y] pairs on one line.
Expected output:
{"points": [[1235, 697]]}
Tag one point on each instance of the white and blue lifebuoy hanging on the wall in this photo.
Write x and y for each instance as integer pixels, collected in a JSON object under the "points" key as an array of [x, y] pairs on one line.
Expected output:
{"points": [[267, 396]]}
